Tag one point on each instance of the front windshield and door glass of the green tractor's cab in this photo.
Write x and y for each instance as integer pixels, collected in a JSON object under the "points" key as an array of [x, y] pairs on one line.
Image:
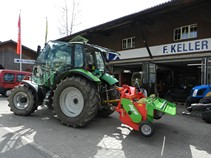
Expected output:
{"points": [[55, 57]]}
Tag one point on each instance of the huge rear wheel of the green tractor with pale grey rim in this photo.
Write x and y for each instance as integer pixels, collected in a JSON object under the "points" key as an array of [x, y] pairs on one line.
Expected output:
{"points": [[76, 101]]}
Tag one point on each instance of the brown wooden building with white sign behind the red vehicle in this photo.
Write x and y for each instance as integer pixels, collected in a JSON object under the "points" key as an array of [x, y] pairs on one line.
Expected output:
{"points": [[9, 59]]}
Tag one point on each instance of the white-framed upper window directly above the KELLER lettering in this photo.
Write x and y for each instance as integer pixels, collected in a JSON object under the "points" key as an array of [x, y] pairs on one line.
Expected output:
{"points": [[185, 32]]}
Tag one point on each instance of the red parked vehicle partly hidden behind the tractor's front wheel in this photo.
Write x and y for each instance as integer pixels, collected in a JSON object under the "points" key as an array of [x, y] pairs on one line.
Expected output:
{"points": [[11, 78]]}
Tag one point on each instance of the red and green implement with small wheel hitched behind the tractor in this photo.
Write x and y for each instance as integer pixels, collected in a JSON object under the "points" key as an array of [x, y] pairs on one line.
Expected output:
{"points": [[138, 111]]}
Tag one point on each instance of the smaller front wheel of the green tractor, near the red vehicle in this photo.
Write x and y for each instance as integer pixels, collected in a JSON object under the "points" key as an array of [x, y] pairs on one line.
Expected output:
{"points": [[22, 101]]}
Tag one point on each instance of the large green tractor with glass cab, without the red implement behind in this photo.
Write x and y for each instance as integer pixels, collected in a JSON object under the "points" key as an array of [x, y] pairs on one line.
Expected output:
{"points": [[71, 78]]}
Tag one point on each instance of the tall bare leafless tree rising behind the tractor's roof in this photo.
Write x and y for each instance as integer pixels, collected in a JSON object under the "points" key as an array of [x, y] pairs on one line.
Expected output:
{"points": [[68, 20]]}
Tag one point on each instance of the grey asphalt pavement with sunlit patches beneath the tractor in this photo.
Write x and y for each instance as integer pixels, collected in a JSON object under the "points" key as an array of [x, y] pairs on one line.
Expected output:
{"points": [[42, 135]]}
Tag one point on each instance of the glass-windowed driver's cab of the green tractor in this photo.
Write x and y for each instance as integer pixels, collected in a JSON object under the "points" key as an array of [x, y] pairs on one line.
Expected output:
{"points": [[59, 57]]}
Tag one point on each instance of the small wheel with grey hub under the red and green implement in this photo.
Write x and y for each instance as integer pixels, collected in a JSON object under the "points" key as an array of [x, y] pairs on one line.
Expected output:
{"points": [[146, 128]]}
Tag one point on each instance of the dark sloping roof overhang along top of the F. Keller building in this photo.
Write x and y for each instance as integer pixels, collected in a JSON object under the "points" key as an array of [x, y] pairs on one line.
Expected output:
{"points": [[142, 16]]}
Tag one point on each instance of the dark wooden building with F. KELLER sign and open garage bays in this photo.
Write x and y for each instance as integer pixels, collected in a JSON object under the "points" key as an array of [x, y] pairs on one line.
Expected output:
{"points": [[170, 43]]}
